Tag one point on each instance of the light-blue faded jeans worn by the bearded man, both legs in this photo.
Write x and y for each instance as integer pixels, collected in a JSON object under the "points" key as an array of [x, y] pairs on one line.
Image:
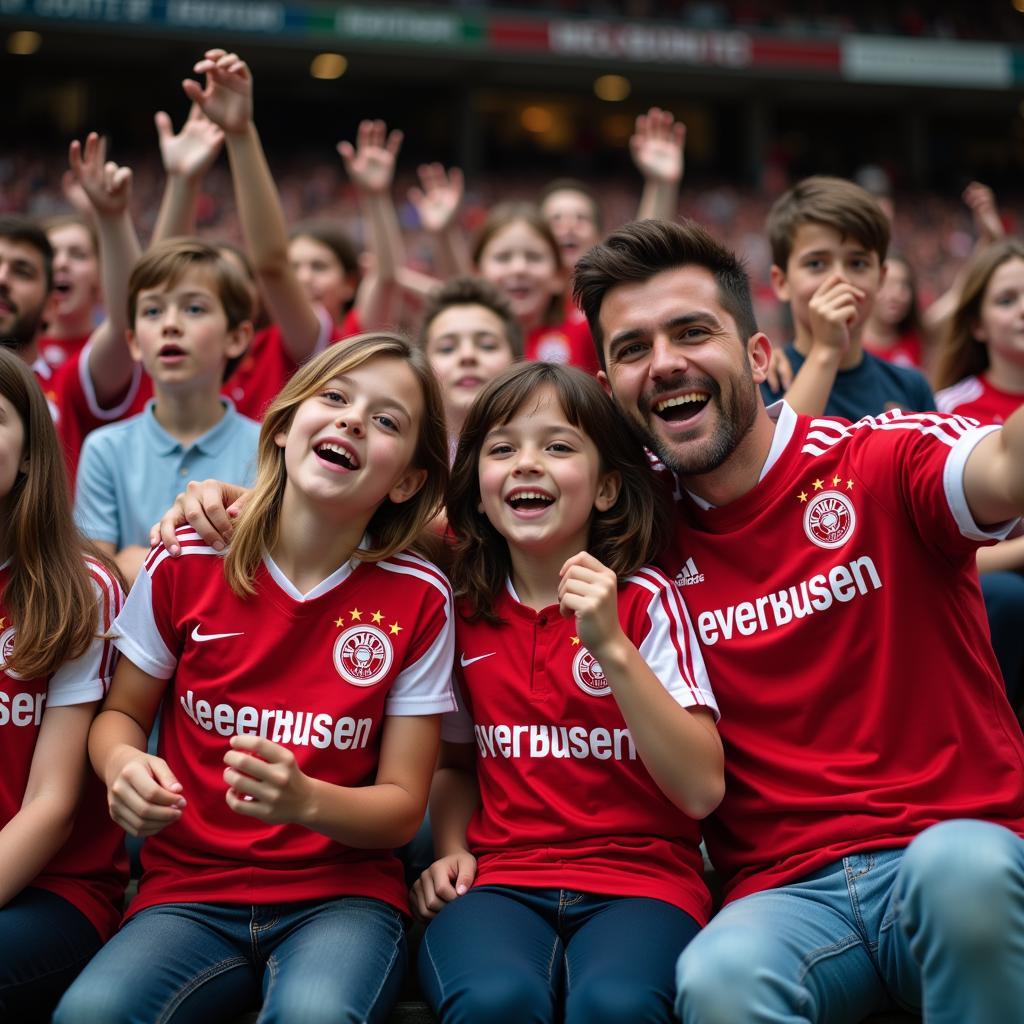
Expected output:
{"points": [[937, 929]]}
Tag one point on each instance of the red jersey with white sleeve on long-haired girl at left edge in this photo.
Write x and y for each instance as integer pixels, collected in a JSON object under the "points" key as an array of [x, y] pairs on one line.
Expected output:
{"points": [[92, 870]]}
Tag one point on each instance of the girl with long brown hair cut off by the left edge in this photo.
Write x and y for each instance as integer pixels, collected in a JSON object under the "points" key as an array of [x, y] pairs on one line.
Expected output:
{"points": [[64, 877]]}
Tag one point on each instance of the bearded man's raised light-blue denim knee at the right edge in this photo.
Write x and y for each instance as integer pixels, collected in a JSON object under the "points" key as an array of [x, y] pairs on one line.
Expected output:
{"points": [[955, 942]]}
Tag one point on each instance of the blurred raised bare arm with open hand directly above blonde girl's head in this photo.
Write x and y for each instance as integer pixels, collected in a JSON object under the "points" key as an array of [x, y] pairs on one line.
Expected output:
{"points": [[371, 167]]}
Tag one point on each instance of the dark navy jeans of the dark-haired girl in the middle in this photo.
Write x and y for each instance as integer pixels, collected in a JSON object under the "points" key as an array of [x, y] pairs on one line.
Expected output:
{"points": [[505, 955]]}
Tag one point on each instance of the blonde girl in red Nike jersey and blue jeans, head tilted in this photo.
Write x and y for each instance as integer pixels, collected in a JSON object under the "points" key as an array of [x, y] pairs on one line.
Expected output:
{"points": [[302, 685]]}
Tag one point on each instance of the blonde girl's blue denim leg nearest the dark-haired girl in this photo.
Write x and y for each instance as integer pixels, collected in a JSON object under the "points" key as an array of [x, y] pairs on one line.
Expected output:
{"points": [[331, 963]]}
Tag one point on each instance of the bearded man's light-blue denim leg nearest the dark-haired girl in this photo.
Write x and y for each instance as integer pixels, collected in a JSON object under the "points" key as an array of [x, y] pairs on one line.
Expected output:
{"points": [[796, 955]]}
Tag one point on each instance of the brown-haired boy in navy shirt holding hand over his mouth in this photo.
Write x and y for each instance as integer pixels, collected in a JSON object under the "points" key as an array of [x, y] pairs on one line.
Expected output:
{"points": [[829, 240]]}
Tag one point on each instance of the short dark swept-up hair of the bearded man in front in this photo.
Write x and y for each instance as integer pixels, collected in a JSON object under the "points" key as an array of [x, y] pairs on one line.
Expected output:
{"points": [[639, 251]]}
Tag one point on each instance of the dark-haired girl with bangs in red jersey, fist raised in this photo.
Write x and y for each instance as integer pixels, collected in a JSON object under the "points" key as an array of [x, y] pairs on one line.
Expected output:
{"points": [[596, 747]]}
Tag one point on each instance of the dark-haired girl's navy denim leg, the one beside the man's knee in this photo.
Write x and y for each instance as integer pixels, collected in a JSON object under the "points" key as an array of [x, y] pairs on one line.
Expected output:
{"points": [[621, 957]]}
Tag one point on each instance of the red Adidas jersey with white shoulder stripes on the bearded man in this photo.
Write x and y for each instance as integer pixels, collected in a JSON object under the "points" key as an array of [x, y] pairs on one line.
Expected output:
{"points": [[839, 611]]}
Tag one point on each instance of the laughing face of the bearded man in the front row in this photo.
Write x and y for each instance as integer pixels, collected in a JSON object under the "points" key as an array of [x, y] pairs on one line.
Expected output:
{"points": [[679, 370]]}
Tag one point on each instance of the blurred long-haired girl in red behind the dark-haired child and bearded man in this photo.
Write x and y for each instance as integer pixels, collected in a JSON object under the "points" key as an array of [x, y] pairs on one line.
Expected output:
{"points": [[518, 253]]}
